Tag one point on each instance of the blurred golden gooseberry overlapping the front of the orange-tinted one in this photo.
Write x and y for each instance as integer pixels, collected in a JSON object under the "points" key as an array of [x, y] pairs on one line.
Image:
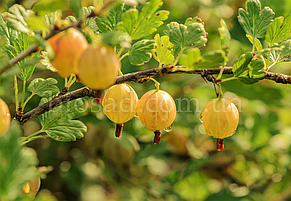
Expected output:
{"points": [[98, 67]]}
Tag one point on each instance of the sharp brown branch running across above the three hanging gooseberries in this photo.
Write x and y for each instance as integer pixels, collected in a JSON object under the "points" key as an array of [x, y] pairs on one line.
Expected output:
{"points": [[140, 77]]}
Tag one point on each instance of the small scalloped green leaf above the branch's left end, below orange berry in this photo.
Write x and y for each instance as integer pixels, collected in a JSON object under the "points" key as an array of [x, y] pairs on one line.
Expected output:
{"points": [[44, 88]]}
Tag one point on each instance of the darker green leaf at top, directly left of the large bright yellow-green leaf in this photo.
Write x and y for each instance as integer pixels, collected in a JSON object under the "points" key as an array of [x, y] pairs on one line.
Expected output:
{"points": [[107, 24]]}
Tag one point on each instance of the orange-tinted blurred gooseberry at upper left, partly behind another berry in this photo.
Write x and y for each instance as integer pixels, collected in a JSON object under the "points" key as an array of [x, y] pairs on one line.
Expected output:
{"points": [[68, 46]]}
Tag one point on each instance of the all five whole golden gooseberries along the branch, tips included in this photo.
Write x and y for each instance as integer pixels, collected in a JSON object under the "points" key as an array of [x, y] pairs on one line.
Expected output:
{"points": [[97, 67]]}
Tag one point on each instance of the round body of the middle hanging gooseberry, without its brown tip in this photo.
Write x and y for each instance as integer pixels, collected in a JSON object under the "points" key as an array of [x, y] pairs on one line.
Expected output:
{"points": [[156, 110]]}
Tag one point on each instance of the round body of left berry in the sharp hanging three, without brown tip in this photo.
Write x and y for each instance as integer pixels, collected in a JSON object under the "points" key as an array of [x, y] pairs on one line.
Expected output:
{"points": [[120, 103]]}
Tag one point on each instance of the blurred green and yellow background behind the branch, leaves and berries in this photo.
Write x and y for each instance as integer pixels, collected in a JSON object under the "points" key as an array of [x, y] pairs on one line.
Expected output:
{"points": [[255, 164]]}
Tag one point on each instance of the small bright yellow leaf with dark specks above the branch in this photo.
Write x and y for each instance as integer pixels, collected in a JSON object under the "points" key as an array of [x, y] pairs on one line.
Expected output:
{"points": [[162, 52]]}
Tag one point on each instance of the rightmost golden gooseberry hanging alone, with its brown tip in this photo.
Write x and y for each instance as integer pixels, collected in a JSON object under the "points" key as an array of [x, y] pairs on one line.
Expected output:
{"points": [[220, 118]]}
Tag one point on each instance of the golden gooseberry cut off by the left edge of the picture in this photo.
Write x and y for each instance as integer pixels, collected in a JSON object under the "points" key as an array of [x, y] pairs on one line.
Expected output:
{"points": [[5, 118]]}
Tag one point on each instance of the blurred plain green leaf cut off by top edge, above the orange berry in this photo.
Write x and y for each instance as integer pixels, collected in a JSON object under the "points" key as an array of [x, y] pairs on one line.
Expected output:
{"points": [[44, 7]]}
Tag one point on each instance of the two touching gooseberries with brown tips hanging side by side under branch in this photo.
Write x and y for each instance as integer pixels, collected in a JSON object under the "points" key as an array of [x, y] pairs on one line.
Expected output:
{"points": [[156, 109]]}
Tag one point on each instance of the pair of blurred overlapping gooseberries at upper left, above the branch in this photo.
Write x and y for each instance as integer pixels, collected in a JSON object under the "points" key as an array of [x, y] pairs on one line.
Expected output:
{"points": [[96, 67]]}
